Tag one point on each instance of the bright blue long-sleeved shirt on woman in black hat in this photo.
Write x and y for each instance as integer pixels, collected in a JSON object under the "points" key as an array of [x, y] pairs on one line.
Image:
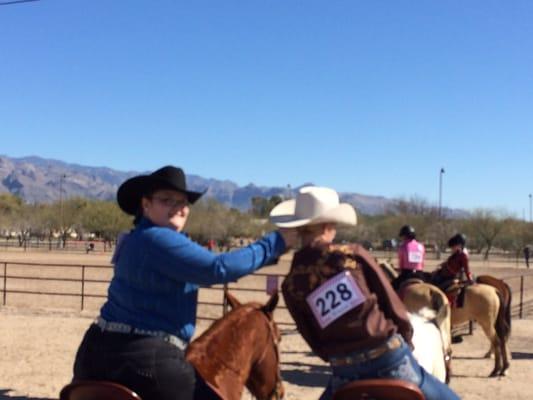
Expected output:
{"points": [[158, 272]]}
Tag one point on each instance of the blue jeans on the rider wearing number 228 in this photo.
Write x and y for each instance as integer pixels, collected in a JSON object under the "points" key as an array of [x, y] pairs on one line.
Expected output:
{"points": [[395, 364]]}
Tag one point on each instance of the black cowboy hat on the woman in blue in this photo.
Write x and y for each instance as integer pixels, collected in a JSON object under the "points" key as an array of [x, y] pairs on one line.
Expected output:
{"points": [[129, 194]]}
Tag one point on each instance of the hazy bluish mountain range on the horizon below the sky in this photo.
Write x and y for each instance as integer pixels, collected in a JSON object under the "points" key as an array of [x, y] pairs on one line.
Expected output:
{"points": [[39, 180]]}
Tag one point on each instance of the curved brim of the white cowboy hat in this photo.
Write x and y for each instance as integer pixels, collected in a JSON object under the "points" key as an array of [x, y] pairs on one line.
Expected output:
{"points": [[283, 215]]}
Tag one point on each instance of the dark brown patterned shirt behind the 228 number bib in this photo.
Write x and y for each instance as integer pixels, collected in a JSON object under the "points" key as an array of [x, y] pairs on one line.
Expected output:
{"points": [[370, 323]]}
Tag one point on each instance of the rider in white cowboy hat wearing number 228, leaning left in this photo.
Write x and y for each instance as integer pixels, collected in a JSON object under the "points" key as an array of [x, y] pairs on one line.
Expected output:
{"points": [[341, 301]]}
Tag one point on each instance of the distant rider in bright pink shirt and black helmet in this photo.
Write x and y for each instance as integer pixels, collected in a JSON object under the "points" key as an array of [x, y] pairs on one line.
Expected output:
{"points": [[411, 256]]}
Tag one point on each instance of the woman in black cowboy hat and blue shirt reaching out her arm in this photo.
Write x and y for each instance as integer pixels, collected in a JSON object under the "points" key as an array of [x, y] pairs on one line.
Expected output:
{"points": [[150, 313]]}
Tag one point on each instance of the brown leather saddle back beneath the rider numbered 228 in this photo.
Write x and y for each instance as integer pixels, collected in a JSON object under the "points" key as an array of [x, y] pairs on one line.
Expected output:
{"points": [[379, 389]]}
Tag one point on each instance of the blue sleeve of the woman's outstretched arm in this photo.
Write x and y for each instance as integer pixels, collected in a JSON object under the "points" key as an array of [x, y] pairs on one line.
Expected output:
{"points": [[181, 259]]}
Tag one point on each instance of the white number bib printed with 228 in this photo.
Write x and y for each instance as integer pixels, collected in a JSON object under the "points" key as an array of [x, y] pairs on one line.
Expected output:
{"points": [[334, 298]]}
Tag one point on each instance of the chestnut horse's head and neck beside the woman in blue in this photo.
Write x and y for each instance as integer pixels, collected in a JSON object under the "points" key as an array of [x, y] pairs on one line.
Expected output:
{"points": [[240, 349]]}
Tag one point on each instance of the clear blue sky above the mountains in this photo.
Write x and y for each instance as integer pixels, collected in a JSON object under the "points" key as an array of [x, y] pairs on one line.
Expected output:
{"points": [[372, 97]]}
